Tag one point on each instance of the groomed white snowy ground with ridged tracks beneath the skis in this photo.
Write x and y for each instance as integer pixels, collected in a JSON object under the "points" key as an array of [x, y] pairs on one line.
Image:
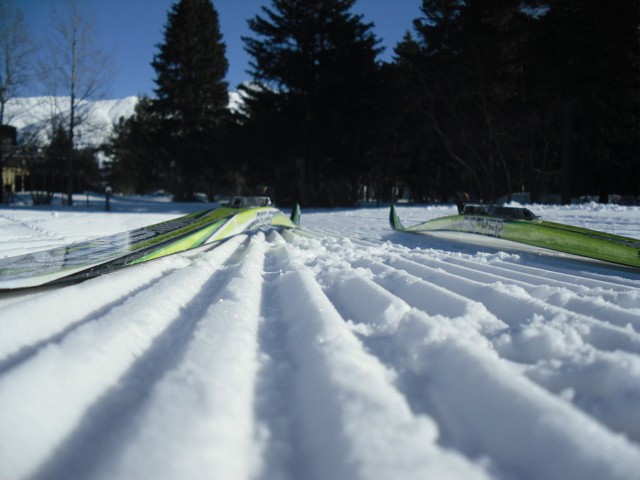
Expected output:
{"points": [[351, 352]]}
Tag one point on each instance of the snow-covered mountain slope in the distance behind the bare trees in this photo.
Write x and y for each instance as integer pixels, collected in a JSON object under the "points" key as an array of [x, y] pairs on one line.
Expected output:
{"points": [[32, 116]]}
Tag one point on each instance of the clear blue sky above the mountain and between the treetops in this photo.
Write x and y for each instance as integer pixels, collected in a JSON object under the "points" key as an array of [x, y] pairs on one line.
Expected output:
{"points": [[131, 29]]}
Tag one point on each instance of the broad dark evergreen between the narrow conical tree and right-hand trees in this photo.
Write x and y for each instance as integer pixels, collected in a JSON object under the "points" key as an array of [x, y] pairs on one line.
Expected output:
{"points": [[314, 98]]}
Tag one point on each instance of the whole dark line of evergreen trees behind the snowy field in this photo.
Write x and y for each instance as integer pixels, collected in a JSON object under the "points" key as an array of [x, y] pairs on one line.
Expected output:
{"points": [[485, 97]]}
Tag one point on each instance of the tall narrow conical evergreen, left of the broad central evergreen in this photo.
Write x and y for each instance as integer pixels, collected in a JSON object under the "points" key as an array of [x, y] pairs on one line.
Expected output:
{"points": [[192, 95]]}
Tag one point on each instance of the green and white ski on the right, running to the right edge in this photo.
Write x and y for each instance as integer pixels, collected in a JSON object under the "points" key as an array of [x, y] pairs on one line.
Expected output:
{"points": [[522, 226]]}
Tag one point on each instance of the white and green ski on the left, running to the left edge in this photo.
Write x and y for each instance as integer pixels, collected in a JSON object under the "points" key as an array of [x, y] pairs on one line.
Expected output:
{"points": [[102, 255]]}
